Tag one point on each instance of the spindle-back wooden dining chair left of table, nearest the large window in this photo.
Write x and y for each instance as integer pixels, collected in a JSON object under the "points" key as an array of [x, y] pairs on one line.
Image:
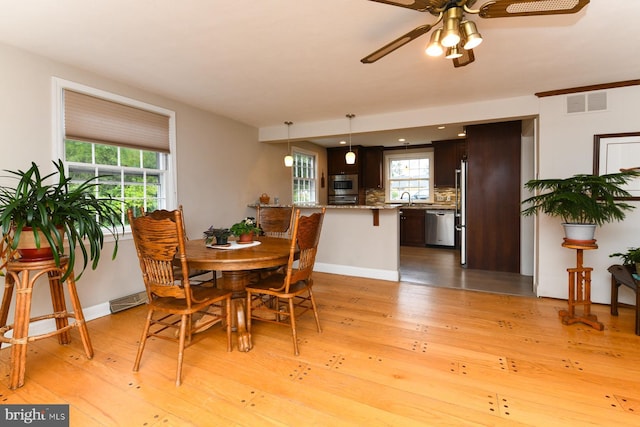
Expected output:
{"points": [[172, 303]]}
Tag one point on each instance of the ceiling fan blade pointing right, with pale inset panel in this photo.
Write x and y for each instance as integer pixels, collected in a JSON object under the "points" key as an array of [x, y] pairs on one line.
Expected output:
{"points": [[509, 8]]}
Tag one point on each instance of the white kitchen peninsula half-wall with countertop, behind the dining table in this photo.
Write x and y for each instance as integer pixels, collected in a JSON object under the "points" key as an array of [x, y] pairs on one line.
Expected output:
{"points": [[359, 240]]}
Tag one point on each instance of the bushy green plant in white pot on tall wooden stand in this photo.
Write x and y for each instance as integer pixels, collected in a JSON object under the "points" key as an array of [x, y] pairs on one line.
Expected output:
{"points": [[581, 201]]}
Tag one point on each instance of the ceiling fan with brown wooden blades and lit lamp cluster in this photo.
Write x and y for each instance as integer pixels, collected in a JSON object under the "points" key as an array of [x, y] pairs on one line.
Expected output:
{"points": [[458, 36]]}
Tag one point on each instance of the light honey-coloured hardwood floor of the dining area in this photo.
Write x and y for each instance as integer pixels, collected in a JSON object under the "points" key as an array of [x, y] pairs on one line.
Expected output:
{"points": [[390, 354]]}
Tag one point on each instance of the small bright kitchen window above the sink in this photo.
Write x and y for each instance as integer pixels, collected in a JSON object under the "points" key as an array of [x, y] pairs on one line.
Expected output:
{"points": [[409, 173]]}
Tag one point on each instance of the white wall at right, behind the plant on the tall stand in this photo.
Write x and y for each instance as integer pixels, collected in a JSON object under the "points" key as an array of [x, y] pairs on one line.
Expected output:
{"points": [[566, 148]]}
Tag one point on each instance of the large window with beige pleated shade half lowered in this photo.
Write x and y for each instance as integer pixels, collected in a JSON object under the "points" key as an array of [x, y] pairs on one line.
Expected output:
{"points": [[126, 143]]}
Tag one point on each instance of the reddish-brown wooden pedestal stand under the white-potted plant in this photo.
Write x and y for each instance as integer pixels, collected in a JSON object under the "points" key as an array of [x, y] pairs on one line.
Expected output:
{"points": [[580, 287]]}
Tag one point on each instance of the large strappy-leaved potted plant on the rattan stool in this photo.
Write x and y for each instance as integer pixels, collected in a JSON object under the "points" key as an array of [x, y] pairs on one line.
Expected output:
{"points": [[41, 211]]}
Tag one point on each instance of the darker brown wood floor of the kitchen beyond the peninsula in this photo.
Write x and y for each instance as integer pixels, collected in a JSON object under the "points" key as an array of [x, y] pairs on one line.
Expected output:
{"points": [[441, 267]]}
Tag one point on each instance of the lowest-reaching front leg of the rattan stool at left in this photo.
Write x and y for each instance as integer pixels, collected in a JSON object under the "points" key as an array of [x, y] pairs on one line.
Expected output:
{"points": [[20, 329]]}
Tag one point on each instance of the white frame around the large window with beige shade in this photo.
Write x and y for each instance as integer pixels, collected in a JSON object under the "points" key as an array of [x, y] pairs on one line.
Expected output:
{"points": [[58, 137]]}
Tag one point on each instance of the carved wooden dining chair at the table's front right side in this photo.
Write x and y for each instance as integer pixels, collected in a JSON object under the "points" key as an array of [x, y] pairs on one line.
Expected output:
{"points": [[279, 298]]}
